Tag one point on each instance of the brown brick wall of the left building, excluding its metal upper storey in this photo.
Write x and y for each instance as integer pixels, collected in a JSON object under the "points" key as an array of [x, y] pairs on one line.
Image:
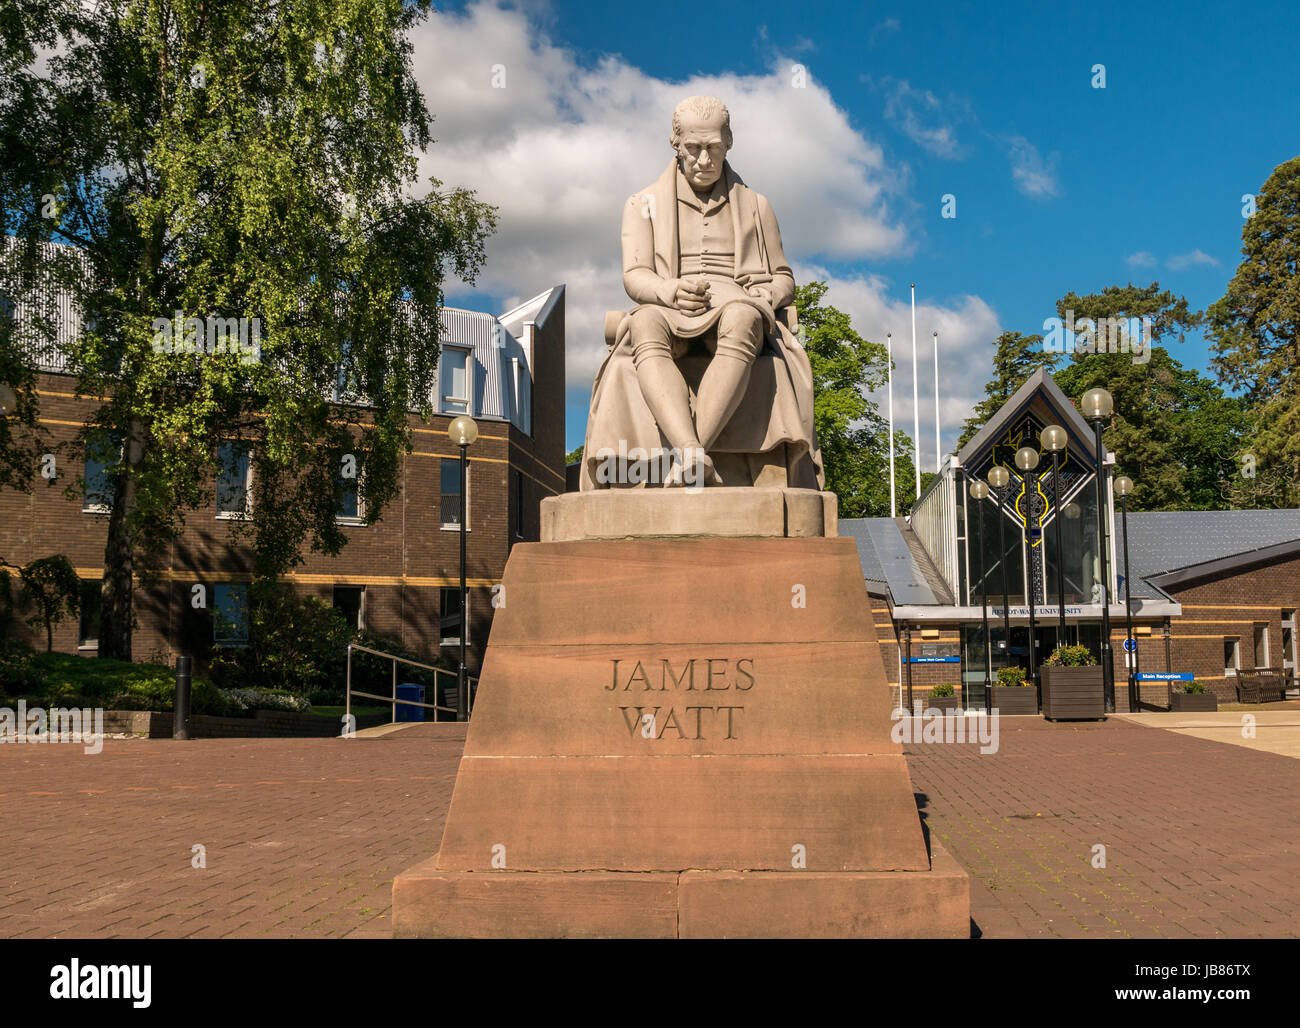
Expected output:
{"points": [[404, 561]]}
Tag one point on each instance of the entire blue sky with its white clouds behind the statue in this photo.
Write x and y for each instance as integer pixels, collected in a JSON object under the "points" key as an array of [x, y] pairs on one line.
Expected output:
{"points": [[1059, 185]]}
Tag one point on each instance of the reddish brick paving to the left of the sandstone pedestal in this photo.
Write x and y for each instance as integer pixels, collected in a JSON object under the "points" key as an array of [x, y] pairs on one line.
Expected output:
{"points": [[304, 836]]}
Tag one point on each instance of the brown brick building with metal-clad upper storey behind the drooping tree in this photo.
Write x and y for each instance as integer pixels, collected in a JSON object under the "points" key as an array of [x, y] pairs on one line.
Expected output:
{"points": [[398, 576]]}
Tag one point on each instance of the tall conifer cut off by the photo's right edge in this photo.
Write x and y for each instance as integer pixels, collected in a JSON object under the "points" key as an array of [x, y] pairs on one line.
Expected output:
{"points": [[1256, 339]]}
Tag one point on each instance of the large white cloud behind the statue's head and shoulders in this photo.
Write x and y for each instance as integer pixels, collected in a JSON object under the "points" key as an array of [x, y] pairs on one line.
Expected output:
{"points": [[562, 148]]}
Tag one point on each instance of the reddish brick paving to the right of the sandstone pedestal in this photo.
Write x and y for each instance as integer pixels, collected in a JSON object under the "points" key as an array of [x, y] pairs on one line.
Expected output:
{"points": [[1203, 839]]}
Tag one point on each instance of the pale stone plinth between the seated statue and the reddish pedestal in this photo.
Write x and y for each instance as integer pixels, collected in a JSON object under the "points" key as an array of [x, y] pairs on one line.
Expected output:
{"points": [[716, 513]]}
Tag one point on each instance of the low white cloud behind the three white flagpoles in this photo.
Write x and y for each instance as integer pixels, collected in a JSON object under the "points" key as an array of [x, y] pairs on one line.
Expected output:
{"points": [[967, 328]]}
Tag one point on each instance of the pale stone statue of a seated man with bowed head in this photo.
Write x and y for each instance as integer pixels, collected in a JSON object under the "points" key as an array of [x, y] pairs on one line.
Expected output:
{"points": [[707, 383]]}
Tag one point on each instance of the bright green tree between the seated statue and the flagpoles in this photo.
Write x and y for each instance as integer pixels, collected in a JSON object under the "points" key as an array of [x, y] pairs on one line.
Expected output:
{"points": [[853, 436]]}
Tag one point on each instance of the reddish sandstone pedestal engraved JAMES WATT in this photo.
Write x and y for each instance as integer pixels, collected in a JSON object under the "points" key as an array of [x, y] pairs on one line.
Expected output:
{"points": [[683, 739]]}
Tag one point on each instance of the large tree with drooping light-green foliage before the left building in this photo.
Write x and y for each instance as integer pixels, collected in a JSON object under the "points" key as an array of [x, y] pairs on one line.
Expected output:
{"points": [[237, 161]]}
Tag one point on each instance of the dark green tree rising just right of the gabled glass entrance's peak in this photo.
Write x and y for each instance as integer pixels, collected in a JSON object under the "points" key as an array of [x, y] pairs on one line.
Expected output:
{"points": [[1173, 432]]}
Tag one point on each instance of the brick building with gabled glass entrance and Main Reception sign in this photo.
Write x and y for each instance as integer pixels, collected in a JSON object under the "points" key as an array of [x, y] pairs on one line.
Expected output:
{"points": [[1212, 592]]}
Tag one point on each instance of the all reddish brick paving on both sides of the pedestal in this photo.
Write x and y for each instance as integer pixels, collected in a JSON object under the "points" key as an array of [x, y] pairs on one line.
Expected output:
{"points": [[304, 836]]}
